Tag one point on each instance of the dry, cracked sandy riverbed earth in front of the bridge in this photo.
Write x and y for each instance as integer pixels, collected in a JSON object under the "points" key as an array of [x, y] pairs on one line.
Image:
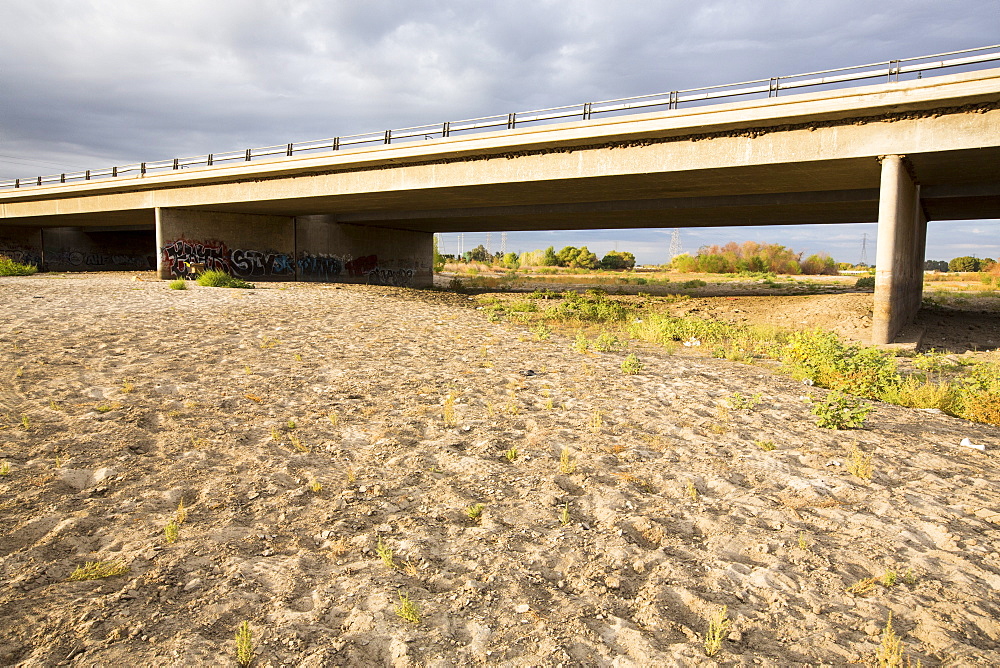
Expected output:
{"points": [[303, 425]]}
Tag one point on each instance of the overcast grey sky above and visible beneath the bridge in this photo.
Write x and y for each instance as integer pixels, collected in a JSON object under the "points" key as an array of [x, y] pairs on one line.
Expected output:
{"points": [[87, 84]]}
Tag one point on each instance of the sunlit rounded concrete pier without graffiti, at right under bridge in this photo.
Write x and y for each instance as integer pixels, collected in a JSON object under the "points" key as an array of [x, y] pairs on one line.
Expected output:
{"points": [[899, 262]]}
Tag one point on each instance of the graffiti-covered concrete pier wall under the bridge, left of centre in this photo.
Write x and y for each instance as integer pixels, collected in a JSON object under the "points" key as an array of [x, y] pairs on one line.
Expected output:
{"points": [[288, 248]]}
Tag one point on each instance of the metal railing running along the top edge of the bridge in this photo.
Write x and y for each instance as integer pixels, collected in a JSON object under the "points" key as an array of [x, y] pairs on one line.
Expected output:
{"points": [[889, 71]]}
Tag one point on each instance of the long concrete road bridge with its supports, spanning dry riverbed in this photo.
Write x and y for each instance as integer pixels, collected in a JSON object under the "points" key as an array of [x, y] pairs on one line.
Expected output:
{"points": [[900, 153]]}
